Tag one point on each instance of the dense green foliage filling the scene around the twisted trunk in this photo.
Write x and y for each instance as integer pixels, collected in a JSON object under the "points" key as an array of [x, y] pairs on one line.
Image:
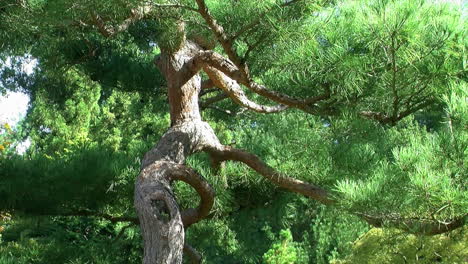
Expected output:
{"points": [[98, 104]]}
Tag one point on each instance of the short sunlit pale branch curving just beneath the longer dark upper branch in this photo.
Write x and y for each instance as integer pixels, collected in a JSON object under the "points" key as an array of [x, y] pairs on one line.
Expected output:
{"points": [[234, 91]]}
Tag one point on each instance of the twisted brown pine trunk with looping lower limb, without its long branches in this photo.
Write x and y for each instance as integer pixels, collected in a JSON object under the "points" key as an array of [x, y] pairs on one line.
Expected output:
{"points": [[161, 220]]}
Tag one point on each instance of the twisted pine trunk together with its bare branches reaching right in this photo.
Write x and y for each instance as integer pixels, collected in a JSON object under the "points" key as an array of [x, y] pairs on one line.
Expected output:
{"points": [[161, 220]]}
